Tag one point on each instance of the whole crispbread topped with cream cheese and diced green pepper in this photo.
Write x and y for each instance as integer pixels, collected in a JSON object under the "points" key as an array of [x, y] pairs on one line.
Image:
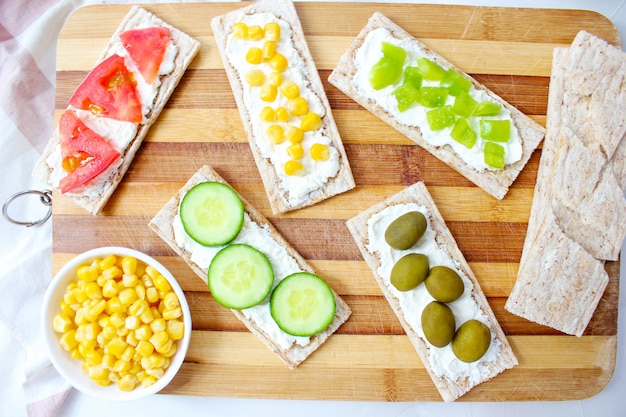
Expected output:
{"points": [[435, 104]]}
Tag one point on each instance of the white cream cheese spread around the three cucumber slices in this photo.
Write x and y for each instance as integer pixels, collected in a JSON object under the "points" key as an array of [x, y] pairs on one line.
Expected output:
{"points": [[283, 264]]}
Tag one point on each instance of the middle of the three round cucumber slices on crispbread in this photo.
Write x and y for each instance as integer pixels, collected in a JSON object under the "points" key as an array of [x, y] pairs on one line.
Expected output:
{"points": [[240, 276]]}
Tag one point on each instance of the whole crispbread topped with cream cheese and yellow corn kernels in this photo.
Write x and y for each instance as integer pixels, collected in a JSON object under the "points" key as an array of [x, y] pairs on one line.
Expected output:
{"points": [[283, 106]]}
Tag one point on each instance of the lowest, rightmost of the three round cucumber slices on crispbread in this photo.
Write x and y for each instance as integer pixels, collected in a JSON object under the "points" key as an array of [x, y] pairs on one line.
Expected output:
{"points": [[302, 304]]}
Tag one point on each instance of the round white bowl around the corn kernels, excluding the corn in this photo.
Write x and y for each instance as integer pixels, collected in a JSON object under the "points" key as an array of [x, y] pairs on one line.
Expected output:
{"points": [[69, 367]]}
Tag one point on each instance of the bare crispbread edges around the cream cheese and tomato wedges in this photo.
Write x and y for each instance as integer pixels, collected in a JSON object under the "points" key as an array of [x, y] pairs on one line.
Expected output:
{"points": [[187, 50]]}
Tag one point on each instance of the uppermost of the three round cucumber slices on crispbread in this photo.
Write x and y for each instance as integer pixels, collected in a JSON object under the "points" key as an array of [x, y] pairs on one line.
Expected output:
{"points": [[212, 213]]}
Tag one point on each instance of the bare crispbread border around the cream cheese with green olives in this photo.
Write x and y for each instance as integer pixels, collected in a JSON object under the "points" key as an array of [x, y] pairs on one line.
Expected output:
{"points": [[450, 388]]}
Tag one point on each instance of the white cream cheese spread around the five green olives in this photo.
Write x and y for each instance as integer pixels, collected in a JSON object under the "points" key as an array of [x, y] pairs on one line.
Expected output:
{"points": [[442, 360]]}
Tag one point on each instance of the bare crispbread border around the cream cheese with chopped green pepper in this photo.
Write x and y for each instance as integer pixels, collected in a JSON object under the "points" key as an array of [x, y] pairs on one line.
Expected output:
{"points": [[494, 182]]}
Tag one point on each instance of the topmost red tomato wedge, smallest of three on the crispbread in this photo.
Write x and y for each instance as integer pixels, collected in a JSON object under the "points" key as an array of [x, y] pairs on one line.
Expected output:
{"points": [[146, 48]]}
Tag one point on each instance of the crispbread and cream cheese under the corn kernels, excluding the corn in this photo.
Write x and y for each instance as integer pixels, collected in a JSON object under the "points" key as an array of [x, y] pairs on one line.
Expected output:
{"points": [[280, 197]]}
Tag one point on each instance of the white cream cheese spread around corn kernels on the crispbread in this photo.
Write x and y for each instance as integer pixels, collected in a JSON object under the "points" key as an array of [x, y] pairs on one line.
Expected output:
{"points": [[315, 173]]}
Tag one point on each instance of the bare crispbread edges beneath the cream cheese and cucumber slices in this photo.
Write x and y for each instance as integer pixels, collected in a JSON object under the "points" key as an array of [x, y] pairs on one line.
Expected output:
{"points": [[162, 223]]}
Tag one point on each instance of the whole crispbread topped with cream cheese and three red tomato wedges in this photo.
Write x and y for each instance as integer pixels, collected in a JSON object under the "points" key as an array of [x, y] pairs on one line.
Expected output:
{"points": [[112, 110]]}
